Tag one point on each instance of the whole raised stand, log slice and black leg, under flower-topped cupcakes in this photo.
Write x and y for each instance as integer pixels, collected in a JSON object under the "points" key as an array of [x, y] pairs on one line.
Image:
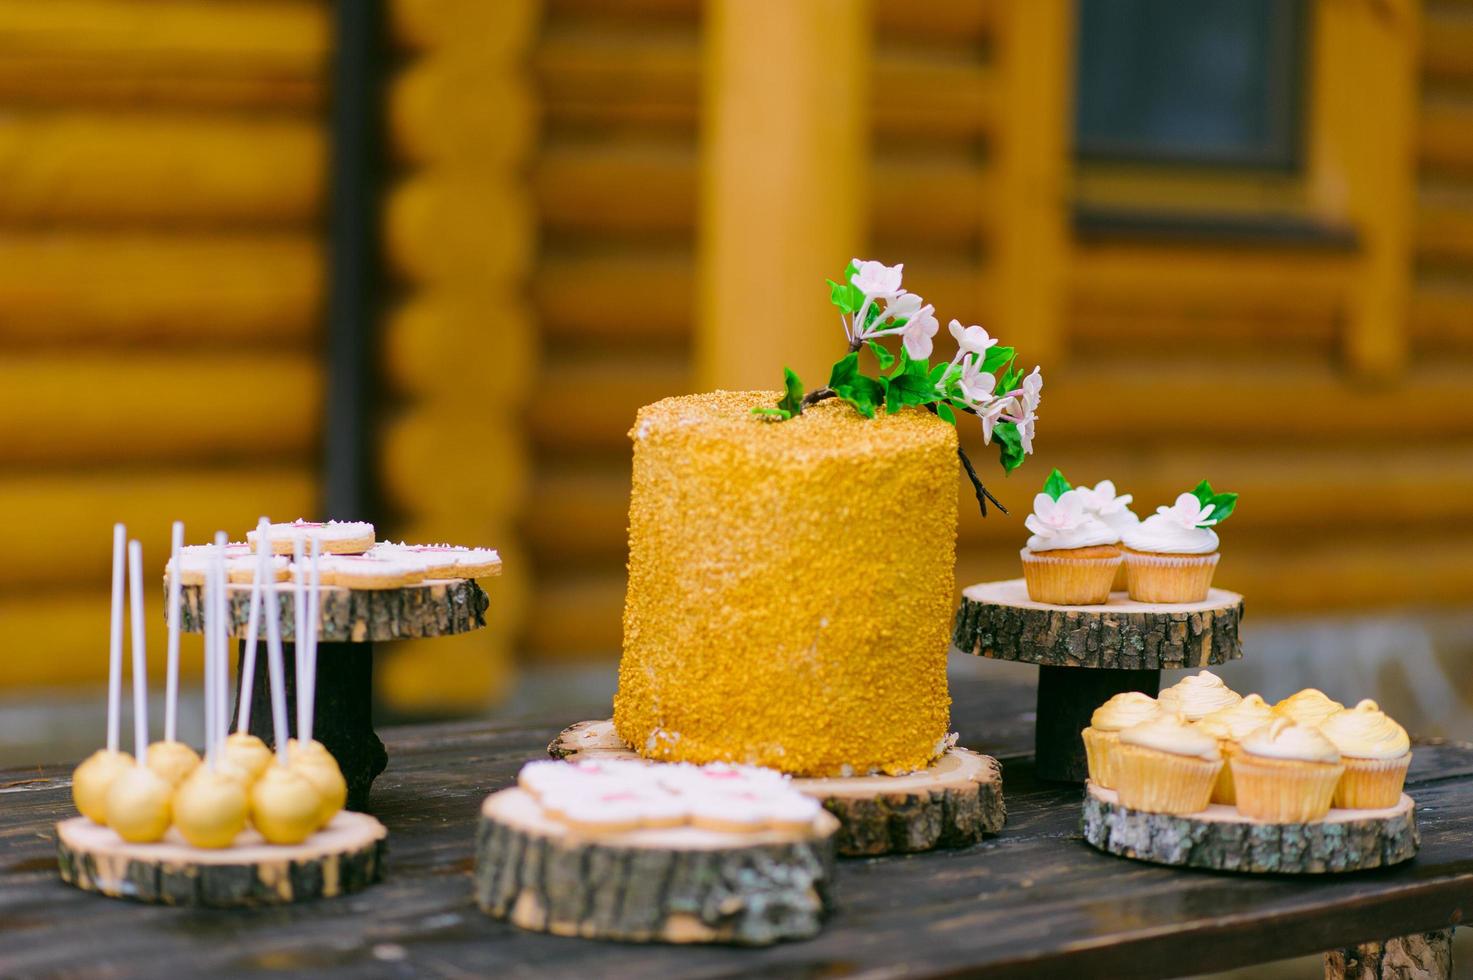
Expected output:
{"points": [[1086, 655]]}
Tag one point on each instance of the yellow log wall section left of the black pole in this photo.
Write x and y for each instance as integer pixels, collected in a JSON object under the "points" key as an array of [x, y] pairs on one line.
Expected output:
{"points": [[161, 287]]}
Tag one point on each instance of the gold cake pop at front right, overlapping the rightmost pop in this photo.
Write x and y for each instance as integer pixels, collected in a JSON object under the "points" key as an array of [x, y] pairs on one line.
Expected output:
{"points": [[285, 807]]}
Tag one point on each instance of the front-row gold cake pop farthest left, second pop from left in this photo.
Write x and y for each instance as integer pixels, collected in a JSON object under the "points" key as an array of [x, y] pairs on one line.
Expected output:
{"points": [[139, 801]]}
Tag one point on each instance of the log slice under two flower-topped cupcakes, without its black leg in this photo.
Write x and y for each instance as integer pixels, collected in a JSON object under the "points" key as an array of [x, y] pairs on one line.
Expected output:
{"points": [[999, 621]]}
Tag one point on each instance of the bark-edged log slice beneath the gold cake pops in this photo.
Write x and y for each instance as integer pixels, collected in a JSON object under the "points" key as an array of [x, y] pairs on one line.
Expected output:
{"points": [[344, 857]]}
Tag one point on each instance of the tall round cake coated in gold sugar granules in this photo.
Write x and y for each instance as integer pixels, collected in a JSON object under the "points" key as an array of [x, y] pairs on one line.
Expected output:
{"points": [[790, 587]]}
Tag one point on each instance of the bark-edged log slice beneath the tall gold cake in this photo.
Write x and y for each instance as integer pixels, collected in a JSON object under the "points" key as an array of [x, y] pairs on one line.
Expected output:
{"points": [[952, 804]]}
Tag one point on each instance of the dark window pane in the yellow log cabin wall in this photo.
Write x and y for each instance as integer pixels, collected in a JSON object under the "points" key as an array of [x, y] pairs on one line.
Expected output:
{"points": [[1201, 83]]}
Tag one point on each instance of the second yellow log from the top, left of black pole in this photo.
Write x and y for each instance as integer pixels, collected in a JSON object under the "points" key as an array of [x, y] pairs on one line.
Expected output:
{"points": [[94, 167]]}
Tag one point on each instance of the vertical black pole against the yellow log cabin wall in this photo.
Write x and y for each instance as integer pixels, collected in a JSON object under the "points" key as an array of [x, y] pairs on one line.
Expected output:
{"points": [[353, 235]]}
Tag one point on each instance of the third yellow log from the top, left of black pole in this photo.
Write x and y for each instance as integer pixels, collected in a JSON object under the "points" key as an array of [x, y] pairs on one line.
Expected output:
{"points": [[58, 288]]}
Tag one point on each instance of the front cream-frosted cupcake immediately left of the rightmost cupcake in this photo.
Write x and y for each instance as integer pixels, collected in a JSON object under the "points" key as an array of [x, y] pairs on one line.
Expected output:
{"points": [[1285, 773]]}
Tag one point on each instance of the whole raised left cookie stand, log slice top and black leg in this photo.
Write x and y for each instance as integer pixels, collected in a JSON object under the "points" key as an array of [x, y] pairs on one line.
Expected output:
{"points": [[351, 621]]}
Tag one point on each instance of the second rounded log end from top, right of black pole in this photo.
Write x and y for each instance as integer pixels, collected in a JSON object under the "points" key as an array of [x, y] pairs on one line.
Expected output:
{"points": [[462, 111]]}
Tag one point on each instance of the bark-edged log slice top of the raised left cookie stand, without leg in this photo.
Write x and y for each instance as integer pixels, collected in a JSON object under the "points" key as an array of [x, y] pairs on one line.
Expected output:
{"points": [[441, 608]]}
